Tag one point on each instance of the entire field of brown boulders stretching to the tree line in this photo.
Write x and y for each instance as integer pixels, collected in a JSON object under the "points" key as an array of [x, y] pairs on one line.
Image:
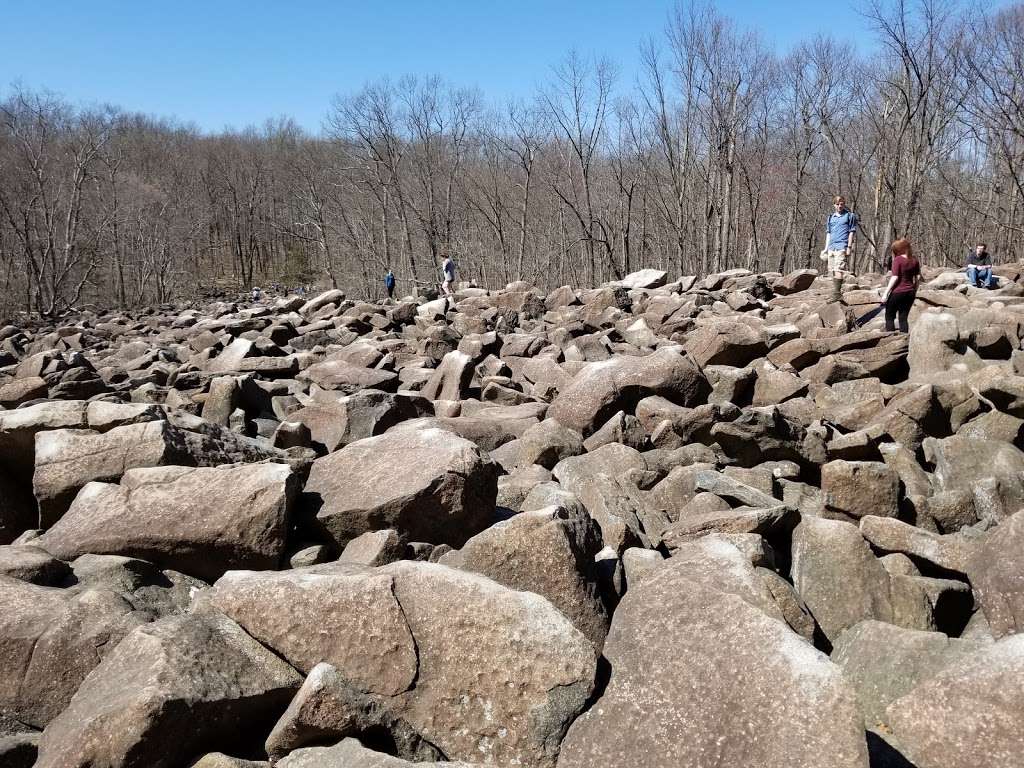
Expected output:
{"points": [[655, 524]]}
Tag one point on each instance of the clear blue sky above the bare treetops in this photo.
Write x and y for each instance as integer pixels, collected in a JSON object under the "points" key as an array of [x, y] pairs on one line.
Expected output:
{"points": [[228, 63]]}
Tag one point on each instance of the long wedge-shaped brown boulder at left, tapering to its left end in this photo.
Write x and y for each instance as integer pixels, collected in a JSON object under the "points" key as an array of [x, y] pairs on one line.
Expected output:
{"points": [[200, 522]]}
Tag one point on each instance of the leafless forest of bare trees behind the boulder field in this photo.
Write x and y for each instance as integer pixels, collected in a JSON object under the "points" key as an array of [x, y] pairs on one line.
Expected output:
{"points": [[721, 154]]}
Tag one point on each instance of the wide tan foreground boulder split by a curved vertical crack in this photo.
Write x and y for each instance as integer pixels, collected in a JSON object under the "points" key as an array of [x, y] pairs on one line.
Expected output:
{"points": [[470, 637]]}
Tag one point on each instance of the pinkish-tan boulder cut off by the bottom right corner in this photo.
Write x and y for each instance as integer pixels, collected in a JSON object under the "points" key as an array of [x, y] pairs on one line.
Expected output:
{"points": [[967, 715]]}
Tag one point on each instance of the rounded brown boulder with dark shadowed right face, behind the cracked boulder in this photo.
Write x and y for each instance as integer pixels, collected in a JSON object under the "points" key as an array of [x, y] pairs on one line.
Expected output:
{"points": [[428, 484]]}
